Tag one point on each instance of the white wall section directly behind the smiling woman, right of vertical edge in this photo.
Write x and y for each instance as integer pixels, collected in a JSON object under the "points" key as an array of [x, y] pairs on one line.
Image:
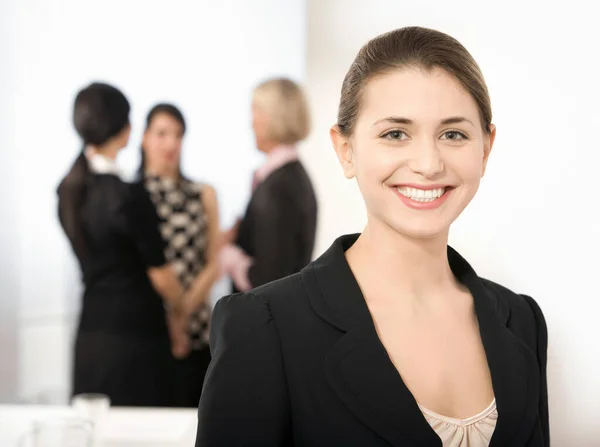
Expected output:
{"points": [[533, 225]]}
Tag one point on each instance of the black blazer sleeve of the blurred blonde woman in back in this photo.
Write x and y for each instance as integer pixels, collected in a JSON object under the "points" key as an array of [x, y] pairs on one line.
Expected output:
{"points": [[275, 217]]}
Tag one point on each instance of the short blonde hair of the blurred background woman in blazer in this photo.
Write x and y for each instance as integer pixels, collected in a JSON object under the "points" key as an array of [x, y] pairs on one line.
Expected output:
{"points": [[285, 103]]}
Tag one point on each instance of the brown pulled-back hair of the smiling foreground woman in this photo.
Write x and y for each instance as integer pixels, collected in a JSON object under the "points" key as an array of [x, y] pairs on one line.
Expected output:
{"points": [[411, 47]]}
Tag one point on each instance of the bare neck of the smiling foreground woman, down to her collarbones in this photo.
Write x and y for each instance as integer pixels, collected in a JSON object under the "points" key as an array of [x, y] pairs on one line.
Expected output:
{"points": [[416, 269]]}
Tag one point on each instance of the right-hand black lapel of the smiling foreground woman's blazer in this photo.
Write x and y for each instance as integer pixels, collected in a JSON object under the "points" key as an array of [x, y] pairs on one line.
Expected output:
{"points": [[513, 367]]}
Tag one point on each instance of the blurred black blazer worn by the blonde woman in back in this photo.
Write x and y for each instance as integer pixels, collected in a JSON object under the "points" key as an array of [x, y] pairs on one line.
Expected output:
{"points": [[278, 228]]}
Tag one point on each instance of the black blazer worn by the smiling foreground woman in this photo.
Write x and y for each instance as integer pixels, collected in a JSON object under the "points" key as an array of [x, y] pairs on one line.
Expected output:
{"points": [[298, 363]]}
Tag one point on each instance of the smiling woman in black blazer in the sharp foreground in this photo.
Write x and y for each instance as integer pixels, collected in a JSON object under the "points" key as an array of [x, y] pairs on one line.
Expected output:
{"points": [[390, 337]]}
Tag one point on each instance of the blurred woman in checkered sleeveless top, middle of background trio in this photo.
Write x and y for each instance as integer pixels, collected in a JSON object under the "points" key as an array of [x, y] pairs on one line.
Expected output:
{"points": [[189, 223]]}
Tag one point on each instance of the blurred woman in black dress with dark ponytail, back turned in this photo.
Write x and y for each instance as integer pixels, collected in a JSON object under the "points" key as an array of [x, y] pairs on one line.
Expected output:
{"points": [[122, 344]]}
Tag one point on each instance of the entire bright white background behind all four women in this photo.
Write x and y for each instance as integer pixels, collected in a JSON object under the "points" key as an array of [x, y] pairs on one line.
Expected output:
{"points": [[533, 226]]}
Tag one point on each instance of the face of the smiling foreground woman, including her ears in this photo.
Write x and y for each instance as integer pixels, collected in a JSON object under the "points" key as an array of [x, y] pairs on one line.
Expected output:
{"points": [[418, 151]]}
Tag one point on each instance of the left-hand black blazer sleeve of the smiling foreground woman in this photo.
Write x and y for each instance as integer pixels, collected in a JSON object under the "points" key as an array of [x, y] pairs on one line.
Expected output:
{"points": [[245, 398]]}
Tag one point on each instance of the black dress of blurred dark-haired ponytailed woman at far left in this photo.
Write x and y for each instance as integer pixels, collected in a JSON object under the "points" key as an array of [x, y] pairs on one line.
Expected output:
{"points": [[122, 347]]}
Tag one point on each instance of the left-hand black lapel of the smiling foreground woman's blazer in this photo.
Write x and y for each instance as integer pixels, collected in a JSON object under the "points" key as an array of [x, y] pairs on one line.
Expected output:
{"points": [[358, 368]]}
